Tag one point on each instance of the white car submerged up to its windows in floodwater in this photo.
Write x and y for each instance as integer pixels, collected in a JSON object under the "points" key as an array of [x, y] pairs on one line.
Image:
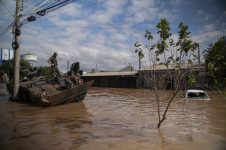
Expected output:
{"points": [[196, 95]]}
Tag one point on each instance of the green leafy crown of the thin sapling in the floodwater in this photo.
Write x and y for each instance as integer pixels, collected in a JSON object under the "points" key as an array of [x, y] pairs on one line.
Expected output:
{"points": [[178, 50]]}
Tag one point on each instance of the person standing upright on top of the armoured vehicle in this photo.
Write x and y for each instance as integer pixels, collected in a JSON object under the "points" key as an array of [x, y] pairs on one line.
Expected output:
{"points": [[53, 62]]}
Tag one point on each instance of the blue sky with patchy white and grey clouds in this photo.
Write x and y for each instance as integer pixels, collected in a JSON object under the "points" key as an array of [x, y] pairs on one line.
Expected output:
{"points": [[102, 33]]}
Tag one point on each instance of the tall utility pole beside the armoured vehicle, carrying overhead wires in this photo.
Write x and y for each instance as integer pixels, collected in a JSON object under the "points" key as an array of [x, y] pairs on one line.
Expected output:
{"points": [[16, 48]]}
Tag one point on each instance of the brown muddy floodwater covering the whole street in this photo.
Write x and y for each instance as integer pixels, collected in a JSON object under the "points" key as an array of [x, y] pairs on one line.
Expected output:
{"points": [[110, 118]]}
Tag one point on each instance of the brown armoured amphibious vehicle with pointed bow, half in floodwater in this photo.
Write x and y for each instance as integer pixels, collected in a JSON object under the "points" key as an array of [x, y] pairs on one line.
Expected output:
{"points": [[49, 91]]}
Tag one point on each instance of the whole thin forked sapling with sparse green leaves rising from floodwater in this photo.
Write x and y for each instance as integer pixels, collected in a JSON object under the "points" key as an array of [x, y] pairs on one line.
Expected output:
{"points": [[173, 55]]}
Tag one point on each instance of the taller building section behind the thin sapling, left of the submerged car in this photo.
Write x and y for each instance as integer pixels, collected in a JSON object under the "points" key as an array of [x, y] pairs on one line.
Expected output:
{"points": [[165, 76]]}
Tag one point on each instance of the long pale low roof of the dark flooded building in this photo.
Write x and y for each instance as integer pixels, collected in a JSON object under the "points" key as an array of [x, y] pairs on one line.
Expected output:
{"points": [[123, 73]]}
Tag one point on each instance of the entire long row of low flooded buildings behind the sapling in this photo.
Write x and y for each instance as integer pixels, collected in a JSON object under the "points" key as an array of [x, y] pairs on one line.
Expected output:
{"points": [[144, 78]]}
